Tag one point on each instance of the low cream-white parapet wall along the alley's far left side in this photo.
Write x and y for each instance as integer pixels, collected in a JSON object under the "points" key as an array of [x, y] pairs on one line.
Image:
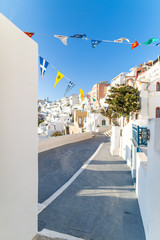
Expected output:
{"points": [[54, 142]]}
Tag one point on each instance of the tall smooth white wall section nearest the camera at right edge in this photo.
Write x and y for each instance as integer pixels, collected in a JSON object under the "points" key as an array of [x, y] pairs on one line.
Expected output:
{"points": [[153, 179]]}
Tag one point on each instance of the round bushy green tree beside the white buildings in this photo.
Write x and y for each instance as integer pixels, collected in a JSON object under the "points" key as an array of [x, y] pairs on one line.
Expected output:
{"points": [[122, 100]]}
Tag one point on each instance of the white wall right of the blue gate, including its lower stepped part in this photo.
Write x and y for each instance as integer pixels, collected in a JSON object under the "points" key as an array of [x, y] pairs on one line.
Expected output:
{"points": [[147, 186]]}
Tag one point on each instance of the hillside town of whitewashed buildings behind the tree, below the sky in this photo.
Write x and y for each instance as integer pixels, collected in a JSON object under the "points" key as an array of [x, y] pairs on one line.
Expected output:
{"points": [[69, 115]]}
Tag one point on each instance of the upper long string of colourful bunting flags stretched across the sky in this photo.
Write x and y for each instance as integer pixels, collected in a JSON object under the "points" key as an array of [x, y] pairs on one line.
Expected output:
{"points": [[95, 42]]}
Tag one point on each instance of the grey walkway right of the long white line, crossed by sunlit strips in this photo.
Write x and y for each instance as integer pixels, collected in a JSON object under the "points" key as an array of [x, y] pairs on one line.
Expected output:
{"points": [[100, 204]]}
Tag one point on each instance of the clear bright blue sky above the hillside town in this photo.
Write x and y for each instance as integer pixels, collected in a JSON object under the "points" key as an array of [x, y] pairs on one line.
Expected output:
{"points": [[98, 19]]}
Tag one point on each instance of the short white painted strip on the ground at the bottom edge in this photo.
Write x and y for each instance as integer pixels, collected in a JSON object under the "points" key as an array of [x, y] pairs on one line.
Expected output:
{"points": [[53, 234]]}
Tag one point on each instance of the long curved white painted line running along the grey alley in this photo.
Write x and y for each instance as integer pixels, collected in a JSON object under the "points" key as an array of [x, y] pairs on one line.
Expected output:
{"points": [[67, 184]]}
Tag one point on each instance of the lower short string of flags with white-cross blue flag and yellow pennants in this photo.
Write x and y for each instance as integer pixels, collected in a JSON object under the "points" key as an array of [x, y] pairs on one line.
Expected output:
{"points": [[43, 66]]}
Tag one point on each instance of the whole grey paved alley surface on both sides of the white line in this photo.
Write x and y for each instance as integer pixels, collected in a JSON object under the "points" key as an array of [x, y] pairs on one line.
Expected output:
{"points": [[100, 204]]}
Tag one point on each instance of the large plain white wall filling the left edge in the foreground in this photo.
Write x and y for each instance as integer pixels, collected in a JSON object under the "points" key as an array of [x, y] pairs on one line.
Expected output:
{"points": [[18, 133]]}
